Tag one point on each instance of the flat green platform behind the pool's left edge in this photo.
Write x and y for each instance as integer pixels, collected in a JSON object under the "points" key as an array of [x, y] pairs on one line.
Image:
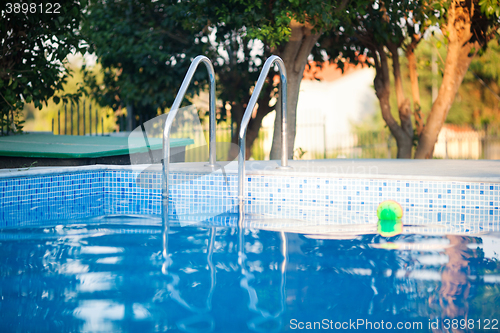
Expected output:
{"points": [[48, 149]]}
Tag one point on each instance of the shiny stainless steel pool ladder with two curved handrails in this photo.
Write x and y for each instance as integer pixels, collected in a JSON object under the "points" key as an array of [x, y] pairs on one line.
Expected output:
{"points": [[243, 128]]}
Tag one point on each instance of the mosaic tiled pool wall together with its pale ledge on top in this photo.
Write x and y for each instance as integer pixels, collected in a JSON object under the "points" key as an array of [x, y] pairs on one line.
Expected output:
{"points": [[460, 196]]}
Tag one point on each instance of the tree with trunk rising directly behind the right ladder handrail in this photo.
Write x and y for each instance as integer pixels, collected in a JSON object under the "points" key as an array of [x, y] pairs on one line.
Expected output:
{"points": [[290, 29]]}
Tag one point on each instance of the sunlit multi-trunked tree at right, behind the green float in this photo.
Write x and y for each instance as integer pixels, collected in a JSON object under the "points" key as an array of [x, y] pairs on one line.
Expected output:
{"points": [[383, 30]]}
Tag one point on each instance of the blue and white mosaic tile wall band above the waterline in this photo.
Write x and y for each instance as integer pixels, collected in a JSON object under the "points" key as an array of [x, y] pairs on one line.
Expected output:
{"points": [[315, 201]]}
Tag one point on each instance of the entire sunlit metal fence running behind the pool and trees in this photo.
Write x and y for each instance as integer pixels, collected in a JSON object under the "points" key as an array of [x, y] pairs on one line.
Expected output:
{"points": [[312, 140]]}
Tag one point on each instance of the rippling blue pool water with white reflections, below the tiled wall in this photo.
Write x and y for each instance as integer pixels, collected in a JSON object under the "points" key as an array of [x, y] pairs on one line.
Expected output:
{"points": [[118, 275]]}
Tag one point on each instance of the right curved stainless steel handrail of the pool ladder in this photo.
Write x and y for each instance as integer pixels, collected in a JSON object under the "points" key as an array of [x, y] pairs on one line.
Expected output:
{"points": [[246, 119]]}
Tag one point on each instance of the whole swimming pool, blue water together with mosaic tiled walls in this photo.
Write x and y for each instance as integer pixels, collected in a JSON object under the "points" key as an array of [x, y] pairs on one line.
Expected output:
{"points": [[73, 258]]}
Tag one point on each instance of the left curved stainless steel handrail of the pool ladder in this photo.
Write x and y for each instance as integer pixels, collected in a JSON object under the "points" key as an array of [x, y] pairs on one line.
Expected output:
{"points": [[173, 112]]}
